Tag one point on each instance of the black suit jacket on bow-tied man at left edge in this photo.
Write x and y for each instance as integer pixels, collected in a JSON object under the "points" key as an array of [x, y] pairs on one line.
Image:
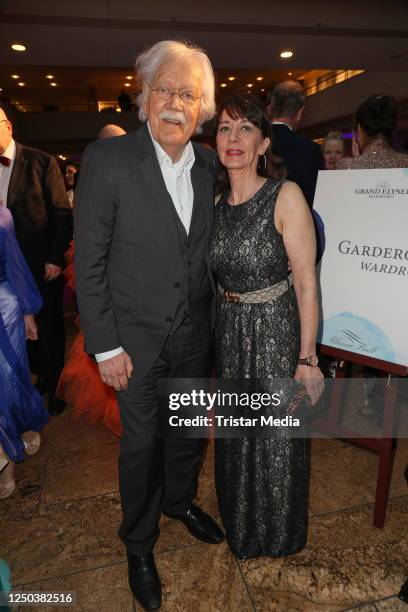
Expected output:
{"points": [[38, 201]]}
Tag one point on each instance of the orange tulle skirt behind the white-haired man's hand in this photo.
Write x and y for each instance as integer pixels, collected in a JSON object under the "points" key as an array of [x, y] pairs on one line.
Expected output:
{"points": [[81, 386]]}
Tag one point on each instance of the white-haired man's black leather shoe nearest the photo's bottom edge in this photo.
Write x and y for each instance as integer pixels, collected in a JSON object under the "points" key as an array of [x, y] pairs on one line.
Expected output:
{"points": [[144, 581]]}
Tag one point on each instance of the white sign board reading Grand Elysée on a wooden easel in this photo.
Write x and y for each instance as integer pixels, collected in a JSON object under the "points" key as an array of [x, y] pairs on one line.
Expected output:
{"points": [[364, 269]]}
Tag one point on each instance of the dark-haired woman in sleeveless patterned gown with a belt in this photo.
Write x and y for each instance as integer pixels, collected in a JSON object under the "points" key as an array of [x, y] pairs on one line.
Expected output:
{"points": [[262, 226]]}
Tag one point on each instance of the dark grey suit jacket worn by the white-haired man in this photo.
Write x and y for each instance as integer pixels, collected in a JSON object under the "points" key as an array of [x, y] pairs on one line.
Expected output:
{"points": [[128, 258]]}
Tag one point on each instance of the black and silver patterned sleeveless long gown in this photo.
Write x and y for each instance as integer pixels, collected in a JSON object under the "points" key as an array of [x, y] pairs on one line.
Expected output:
{"points": [[262, 484]]}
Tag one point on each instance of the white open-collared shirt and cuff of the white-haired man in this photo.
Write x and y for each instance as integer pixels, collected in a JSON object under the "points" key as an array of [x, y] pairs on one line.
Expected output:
{"points": [[177, 178]]}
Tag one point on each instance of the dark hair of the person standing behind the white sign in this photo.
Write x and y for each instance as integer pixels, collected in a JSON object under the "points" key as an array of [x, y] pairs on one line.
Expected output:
{"points": [[377, 115]]}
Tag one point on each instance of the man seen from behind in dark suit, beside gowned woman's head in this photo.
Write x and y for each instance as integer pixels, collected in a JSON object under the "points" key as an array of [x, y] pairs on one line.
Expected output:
{"points": [[302, 157]]}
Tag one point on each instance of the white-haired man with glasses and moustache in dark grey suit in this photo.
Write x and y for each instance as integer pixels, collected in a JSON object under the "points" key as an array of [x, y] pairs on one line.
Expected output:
{"points": [[142, 224]]}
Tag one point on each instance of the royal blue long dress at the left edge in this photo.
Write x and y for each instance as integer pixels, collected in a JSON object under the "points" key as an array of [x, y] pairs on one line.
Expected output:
{"points": [[21, 406]]}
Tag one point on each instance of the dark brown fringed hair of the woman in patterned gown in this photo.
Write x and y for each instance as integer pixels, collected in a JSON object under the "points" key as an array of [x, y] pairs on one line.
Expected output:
{"points": [[249, 107]]}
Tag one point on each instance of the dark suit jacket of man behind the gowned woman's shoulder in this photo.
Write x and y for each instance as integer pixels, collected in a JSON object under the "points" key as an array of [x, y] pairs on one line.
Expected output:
{"points": [[302, 157]]}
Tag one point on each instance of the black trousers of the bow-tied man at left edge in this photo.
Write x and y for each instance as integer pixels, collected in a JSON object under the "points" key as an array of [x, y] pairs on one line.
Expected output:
{"points": [[46, 354]]}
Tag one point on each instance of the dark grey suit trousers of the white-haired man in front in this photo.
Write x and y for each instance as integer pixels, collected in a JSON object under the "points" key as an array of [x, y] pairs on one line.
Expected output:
{"points": [[158, 474]]}
